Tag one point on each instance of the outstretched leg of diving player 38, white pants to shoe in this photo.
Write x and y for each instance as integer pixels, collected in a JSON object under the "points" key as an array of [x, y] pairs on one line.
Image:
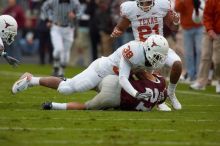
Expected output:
{"points": [[84, 81]]}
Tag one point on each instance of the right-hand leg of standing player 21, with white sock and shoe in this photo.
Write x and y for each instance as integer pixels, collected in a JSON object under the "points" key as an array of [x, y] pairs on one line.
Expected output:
{"points": [[174, 62]]}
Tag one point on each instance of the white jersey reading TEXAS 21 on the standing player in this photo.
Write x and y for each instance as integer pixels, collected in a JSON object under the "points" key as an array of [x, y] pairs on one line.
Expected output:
{"points": [[145, 23]]}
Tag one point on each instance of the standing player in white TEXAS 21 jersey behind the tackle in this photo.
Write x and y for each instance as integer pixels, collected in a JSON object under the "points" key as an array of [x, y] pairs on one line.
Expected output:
{"points": [[147, 17]]}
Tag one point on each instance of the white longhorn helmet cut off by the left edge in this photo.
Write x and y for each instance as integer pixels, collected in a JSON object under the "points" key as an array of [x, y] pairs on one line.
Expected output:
{"points": [[8, 28]]}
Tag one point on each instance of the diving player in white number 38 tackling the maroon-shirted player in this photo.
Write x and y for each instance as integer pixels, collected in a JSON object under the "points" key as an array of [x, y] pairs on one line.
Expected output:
{"points": [[150, 54]]}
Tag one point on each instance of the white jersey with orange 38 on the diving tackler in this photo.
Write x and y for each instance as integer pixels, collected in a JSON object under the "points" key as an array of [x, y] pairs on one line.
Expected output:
{"points": [[132, 51]]}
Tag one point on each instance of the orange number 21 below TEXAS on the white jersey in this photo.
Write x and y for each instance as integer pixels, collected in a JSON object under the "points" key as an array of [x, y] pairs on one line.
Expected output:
{"points": [[146, 30]]}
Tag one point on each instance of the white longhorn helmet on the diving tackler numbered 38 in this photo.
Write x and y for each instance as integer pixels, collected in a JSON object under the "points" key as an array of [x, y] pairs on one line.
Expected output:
{"points": [[156, 50]]}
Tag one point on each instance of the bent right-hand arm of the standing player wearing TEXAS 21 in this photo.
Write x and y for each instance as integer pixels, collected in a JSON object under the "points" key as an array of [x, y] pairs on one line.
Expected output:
{"points": [[172, 20]]}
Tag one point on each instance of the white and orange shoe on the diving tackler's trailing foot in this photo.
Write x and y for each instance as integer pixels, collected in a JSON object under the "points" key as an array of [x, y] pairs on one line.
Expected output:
{"points": [[22, 83]]}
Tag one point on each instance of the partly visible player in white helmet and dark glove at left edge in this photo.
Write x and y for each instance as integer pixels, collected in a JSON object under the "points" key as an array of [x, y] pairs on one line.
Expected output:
{"points": [[8, 30]]}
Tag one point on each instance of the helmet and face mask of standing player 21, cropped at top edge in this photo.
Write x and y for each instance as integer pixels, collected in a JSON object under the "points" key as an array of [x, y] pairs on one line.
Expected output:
{"points": [[145, 5]]}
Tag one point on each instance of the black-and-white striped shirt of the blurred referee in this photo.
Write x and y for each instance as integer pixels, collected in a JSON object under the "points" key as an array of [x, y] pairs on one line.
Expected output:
{"points": [[57, 11]]}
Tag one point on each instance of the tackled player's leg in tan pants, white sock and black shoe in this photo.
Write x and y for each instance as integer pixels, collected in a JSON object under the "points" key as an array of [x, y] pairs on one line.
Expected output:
{"points": [[109, 97]]}
